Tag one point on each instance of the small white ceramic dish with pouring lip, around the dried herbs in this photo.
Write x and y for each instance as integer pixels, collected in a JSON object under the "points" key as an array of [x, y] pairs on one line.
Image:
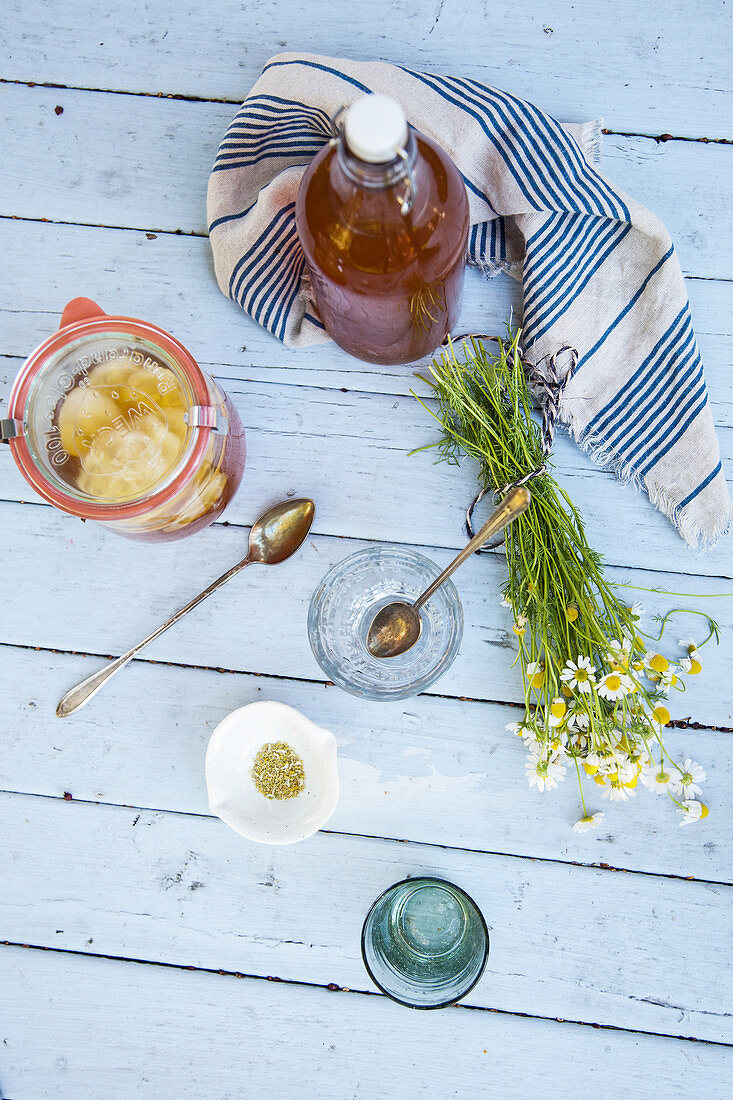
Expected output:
{"points": [[234, 797]]}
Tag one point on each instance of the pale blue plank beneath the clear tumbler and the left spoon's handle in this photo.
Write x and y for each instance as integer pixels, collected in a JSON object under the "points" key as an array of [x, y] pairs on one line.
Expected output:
{"points": [[97, 593]]}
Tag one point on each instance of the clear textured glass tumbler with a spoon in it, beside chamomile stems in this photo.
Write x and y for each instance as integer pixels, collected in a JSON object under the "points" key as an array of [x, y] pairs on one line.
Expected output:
{"points": [[345, 604]]}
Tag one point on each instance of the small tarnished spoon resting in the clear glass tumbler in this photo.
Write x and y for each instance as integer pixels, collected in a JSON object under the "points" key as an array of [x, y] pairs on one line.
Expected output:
{"points": [[397, 628]]}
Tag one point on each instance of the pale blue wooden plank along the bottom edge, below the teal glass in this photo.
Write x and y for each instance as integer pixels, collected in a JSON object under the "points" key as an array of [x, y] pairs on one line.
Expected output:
{"points": [[163, 1035]]}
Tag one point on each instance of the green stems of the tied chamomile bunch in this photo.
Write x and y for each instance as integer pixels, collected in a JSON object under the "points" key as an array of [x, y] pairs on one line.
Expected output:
{"points": [[484, 408]]}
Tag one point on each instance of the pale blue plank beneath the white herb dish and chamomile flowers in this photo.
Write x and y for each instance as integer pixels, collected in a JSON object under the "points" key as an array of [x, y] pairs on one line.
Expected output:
{"points": [[436, 771]]}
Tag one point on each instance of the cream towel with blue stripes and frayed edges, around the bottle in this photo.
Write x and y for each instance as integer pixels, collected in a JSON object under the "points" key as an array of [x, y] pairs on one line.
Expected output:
{"points": [[599, 271]]}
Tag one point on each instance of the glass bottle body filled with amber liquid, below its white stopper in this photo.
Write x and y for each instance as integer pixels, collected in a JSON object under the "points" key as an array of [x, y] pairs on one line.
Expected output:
{"points": [[388, 284]]}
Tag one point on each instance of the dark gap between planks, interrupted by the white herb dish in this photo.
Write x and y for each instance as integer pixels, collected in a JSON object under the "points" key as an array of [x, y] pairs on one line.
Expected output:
{"points": [[68, 797]]}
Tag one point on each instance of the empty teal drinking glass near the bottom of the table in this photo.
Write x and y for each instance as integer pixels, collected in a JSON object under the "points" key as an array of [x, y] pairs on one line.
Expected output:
{"points": [[425, 943]]}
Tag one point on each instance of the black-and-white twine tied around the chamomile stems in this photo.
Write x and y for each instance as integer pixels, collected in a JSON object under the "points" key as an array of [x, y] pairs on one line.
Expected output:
{"points": [[548, 381]]}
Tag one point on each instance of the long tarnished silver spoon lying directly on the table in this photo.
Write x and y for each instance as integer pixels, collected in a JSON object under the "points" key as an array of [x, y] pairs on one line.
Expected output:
{"points": [[275, 537]]}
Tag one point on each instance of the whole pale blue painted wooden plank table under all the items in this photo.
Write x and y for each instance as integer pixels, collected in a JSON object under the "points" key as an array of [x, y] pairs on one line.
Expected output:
{"points": [[147, 950]]}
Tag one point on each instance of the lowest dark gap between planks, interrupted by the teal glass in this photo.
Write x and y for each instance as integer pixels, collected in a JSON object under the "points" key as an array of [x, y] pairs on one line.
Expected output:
{"points": [[333, 987]]}
